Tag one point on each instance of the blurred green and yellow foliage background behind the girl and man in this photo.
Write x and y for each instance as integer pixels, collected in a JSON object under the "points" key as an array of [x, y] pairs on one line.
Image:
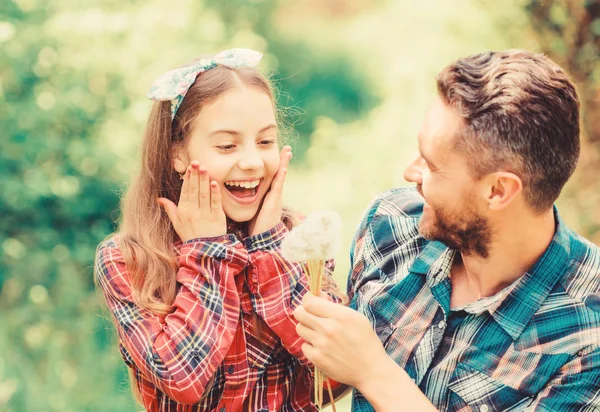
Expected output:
{"points": [[356, 77]]}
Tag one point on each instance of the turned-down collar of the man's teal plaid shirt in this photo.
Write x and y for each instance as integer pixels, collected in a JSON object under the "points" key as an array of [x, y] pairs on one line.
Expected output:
{"points": [[514, 311]]}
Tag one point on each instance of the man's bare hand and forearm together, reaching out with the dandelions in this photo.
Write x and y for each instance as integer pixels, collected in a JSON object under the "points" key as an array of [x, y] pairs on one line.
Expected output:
{"points": [[341, 342]]}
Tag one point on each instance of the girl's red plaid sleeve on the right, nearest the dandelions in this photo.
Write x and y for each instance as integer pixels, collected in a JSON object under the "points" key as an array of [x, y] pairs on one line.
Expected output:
{"points": [[277, 287]]}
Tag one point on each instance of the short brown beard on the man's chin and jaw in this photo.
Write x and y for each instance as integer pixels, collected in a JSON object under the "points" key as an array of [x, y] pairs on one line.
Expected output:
{"points": [[468, 232]]}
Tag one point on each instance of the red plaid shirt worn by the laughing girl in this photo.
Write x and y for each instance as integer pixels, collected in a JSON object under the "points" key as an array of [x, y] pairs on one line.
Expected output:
{"points": [[207, 354]]}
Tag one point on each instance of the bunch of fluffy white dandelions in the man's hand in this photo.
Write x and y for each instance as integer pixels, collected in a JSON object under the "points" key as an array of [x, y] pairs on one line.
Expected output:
{"points": [[312, 243]]}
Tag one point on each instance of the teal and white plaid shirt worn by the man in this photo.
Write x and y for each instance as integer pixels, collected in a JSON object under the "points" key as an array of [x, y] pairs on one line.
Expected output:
{"points": [[533, 346]]}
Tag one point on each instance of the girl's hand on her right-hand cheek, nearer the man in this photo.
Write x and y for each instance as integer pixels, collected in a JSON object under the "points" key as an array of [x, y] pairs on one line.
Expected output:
{"points": [[269, 214]]}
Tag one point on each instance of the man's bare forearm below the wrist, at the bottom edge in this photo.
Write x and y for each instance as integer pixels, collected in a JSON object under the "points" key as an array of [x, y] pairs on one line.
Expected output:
{"points": [[390, 387]]}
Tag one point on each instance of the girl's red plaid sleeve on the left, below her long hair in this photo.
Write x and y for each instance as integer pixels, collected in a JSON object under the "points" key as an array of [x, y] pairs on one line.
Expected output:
{"points": [[181, 351]]}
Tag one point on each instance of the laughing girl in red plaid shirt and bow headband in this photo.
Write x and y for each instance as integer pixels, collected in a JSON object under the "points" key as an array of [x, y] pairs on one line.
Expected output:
{"points": [[194, 279]]}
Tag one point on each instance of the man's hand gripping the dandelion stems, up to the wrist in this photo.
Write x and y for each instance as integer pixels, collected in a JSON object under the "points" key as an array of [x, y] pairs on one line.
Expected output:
{"points": [[339, 341]]}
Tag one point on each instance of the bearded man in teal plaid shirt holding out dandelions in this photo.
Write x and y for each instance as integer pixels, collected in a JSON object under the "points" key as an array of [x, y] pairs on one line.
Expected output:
{"points": [[469, 292]]}
